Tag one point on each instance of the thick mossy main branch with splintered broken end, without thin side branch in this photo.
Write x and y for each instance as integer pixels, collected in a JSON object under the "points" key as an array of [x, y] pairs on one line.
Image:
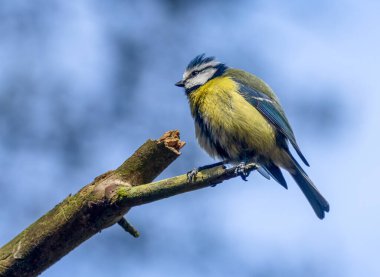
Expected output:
{"points": [[80, 216]]}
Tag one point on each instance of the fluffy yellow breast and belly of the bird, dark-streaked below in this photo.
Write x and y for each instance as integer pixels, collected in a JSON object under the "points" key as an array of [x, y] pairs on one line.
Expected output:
{"points": [[230, 122]]}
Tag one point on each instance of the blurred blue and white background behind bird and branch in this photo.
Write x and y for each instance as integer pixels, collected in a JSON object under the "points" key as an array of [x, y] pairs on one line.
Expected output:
{"points": [[84, 83]]}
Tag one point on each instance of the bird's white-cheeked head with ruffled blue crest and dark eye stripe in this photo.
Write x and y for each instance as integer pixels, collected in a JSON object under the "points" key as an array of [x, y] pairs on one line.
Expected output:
{"points": [[199, 71]]}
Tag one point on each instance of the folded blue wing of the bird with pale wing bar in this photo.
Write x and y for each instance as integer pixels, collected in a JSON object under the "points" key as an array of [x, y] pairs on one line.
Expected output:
{"points": [[271, 110]]}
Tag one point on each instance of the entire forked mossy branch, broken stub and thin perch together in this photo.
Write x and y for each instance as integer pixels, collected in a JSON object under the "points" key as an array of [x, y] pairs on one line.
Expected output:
{"points": [[103, 203]]}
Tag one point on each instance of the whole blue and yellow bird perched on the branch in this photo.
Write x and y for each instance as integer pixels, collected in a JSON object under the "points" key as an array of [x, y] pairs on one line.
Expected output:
{"points": [[238, 118]]}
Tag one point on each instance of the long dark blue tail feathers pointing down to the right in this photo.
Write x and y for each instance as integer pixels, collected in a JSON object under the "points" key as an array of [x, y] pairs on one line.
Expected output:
{"points": [[315, 198]]}
